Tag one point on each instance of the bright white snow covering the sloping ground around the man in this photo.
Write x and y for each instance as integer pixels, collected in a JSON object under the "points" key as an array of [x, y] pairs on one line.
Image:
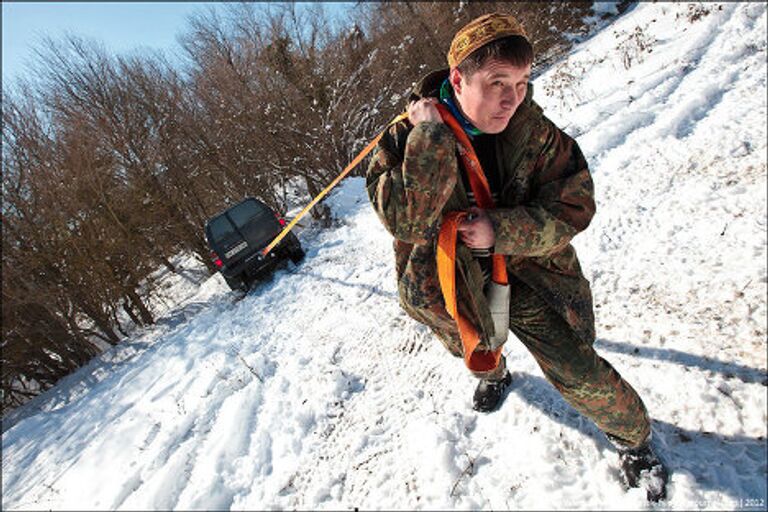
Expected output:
{"points": [[315, 391]]}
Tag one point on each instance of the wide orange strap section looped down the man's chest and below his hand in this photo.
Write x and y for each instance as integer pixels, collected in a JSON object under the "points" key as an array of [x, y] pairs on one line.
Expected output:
{"points": [[476, 360]]}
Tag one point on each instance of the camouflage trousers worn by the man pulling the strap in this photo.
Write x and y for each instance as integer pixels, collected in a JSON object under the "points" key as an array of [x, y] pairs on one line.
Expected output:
{"points": [[587, 381]]}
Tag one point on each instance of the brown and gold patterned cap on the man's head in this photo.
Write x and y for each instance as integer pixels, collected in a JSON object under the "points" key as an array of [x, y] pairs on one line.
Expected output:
{"points": [[481, 31]]}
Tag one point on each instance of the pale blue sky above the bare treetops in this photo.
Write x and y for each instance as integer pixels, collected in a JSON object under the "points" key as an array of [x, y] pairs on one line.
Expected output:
{"points": [[122, 26]]}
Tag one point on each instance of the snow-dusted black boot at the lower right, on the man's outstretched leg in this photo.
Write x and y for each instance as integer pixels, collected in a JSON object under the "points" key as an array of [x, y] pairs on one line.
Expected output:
{"points": [[641, 467]]}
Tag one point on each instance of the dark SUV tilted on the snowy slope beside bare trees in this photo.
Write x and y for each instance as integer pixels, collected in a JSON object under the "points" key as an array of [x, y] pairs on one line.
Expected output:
{"points": [[237, 236]]}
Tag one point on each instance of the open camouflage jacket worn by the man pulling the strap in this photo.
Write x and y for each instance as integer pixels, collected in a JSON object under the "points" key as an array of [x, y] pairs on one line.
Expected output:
{"points": [[546, 197]]}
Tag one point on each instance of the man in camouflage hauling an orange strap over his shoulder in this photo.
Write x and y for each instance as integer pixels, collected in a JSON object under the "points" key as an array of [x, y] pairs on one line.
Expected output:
{"points": [[542, 194]]}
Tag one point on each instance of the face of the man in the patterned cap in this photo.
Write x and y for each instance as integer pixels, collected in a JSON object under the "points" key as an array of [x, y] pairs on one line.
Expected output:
{"points": [[491, 95]]}
